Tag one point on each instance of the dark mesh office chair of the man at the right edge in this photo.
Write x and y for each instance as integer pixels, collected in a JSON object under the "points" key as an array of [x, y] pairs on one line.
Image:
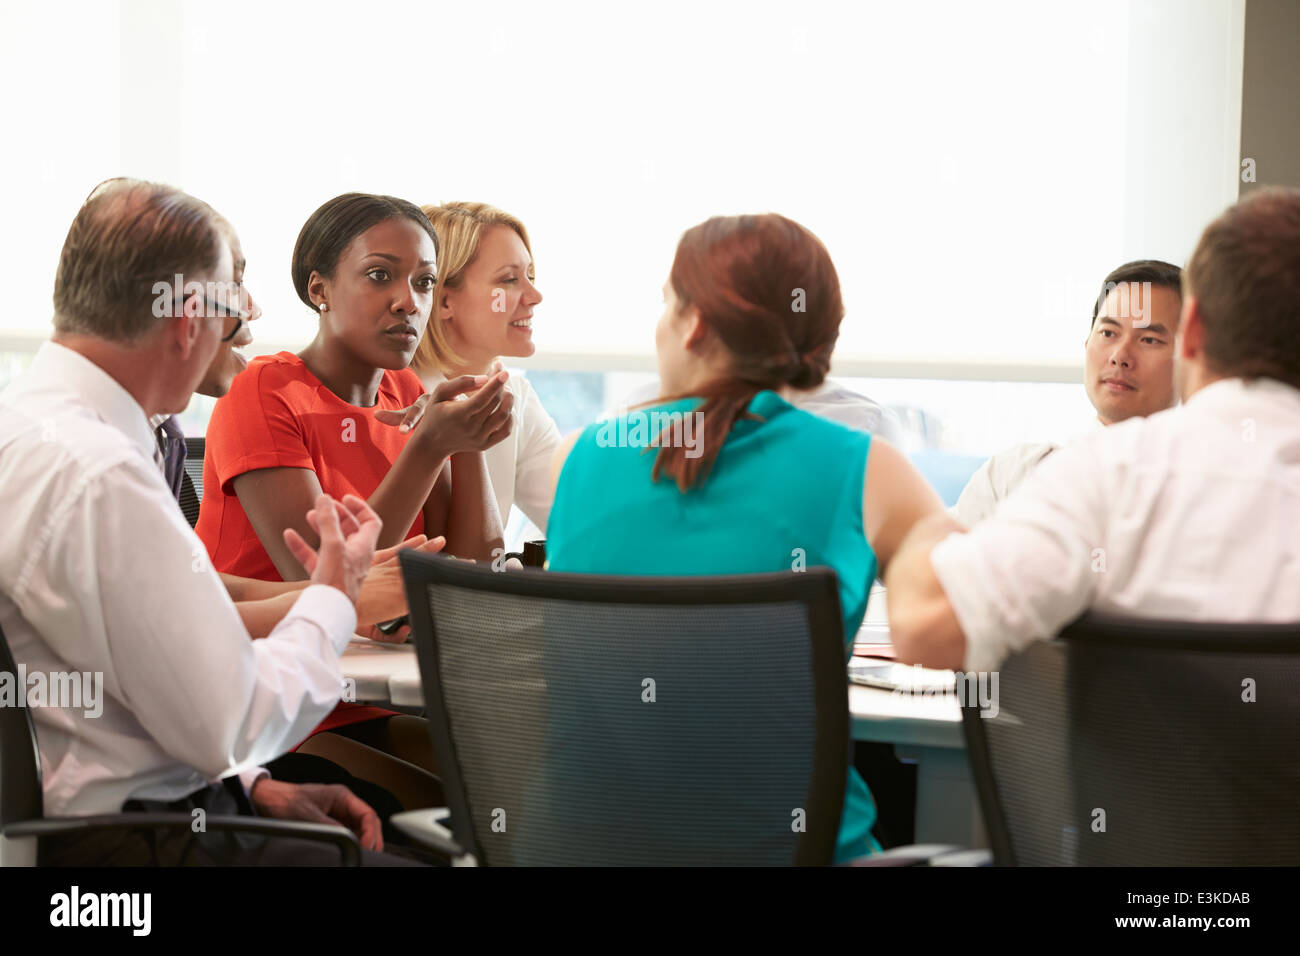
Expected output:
{"points": [[1143, 743]]}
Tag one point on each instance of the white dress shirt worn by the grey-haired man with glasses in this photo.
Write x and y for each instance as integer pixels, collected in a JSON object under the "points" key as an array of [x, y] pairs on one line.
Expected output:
{"points": [[101, 573]]}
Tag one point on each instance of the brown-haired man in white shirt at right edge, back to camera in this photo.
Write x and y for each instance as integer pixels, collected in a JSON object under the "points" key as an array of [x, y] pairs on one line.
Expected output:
{"points": [[1189, 514]]}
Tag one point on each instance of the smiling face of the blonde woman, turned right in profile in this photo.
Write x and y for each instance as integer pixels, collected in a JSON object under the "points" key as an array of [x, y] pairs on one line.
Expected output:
{"points": [[491, 312]]}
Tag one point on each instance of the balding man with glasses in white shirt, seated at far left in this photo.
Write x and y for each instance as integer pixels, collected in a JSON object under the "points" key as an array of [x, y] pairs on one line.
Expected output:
{"points": [[101, 574]]}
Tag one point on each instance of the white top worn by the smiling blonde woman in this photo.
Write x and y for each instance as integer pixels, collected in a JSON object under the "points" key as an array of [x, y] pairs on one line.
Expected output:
{"points": [[519, 468]]}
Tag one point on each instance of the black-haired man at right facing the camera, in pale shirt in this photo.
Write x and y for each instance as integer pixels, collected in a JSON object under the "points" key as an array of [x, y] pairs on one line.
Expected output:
{"points": [[1129, 370]]}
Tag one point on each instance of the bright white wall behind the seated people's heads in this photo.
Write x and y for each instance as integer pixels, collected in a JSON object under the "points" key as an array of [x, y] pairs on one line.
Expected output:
{"points": [[976, 170]]}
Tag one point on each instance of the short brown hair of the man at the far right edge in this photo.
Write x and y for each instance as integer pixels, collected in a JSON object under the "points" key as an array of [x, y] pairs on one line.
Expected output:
{"points": [[1246, 278]]}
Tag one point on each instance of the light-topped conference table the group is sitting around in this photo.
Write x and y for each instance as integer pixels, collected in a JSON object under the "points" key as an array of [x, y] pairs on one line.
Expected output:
{"points": [[925, 730]]}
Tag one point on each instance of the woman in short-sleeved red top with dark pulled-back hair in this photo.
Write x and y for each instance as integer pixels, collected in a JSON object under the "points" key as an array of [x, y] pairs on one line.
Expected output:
{"points": [[328, 421]]}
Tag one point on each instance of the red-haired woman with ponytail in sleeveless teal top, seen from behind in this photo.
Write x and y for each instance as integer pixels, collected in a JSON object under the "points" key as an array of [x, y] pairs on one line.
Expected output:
{"points": [[752, 315]]}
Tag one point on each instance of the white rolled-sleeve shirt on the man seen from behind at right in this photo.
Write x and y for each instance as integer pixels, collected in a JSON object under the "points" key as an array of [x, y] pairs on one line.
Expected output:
{"points": [[1190, 514]]}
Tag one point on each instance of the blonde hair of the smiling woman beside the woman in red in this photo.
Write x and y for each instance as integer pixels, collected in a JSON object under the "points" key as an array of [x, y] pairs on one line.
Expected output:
{"points": [[461, 228]]}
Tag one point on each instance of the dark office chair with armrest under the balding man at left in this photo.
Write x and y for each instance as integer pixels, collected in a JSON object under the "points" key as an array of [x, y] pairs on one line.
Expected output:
{"points": [[23, 806]]}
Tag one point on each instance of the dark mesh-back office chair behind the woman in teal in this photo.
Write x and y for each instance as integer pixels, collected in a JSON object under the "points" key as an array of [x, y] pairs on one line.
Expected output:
{"points": [[634, 721]]}
